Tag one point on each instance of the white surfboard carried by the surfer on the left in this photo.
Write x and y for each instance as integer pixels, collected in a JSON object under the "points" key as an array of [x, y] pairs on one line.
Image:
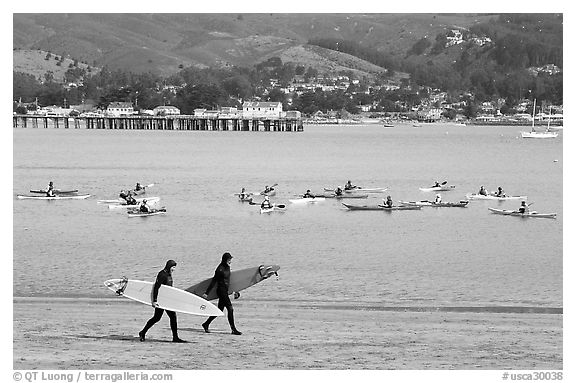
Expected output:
{"points": [[169, 298]]}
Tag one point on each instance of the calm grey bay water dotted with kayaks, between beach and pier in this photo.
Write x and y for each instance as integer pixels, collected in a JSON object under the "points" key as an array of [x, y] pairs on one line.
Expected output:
{"points": [[449, 257]]}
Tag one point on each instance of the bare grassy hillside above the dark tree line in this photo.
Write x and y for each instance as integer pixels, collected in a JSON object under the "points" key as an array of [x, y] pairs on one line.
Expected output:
{"points": [[164, 43]]}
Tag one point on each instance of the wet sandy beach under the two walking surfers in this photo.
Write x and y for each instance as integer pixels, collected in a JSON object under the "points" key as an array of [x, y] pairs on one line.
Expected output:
{"points": [[67, 333]]}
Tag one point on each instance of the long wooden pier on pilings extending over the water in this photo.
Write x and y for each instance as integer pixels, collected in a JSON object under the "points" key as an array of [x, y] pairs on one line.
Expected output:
{"points": [[178, 122]]}
